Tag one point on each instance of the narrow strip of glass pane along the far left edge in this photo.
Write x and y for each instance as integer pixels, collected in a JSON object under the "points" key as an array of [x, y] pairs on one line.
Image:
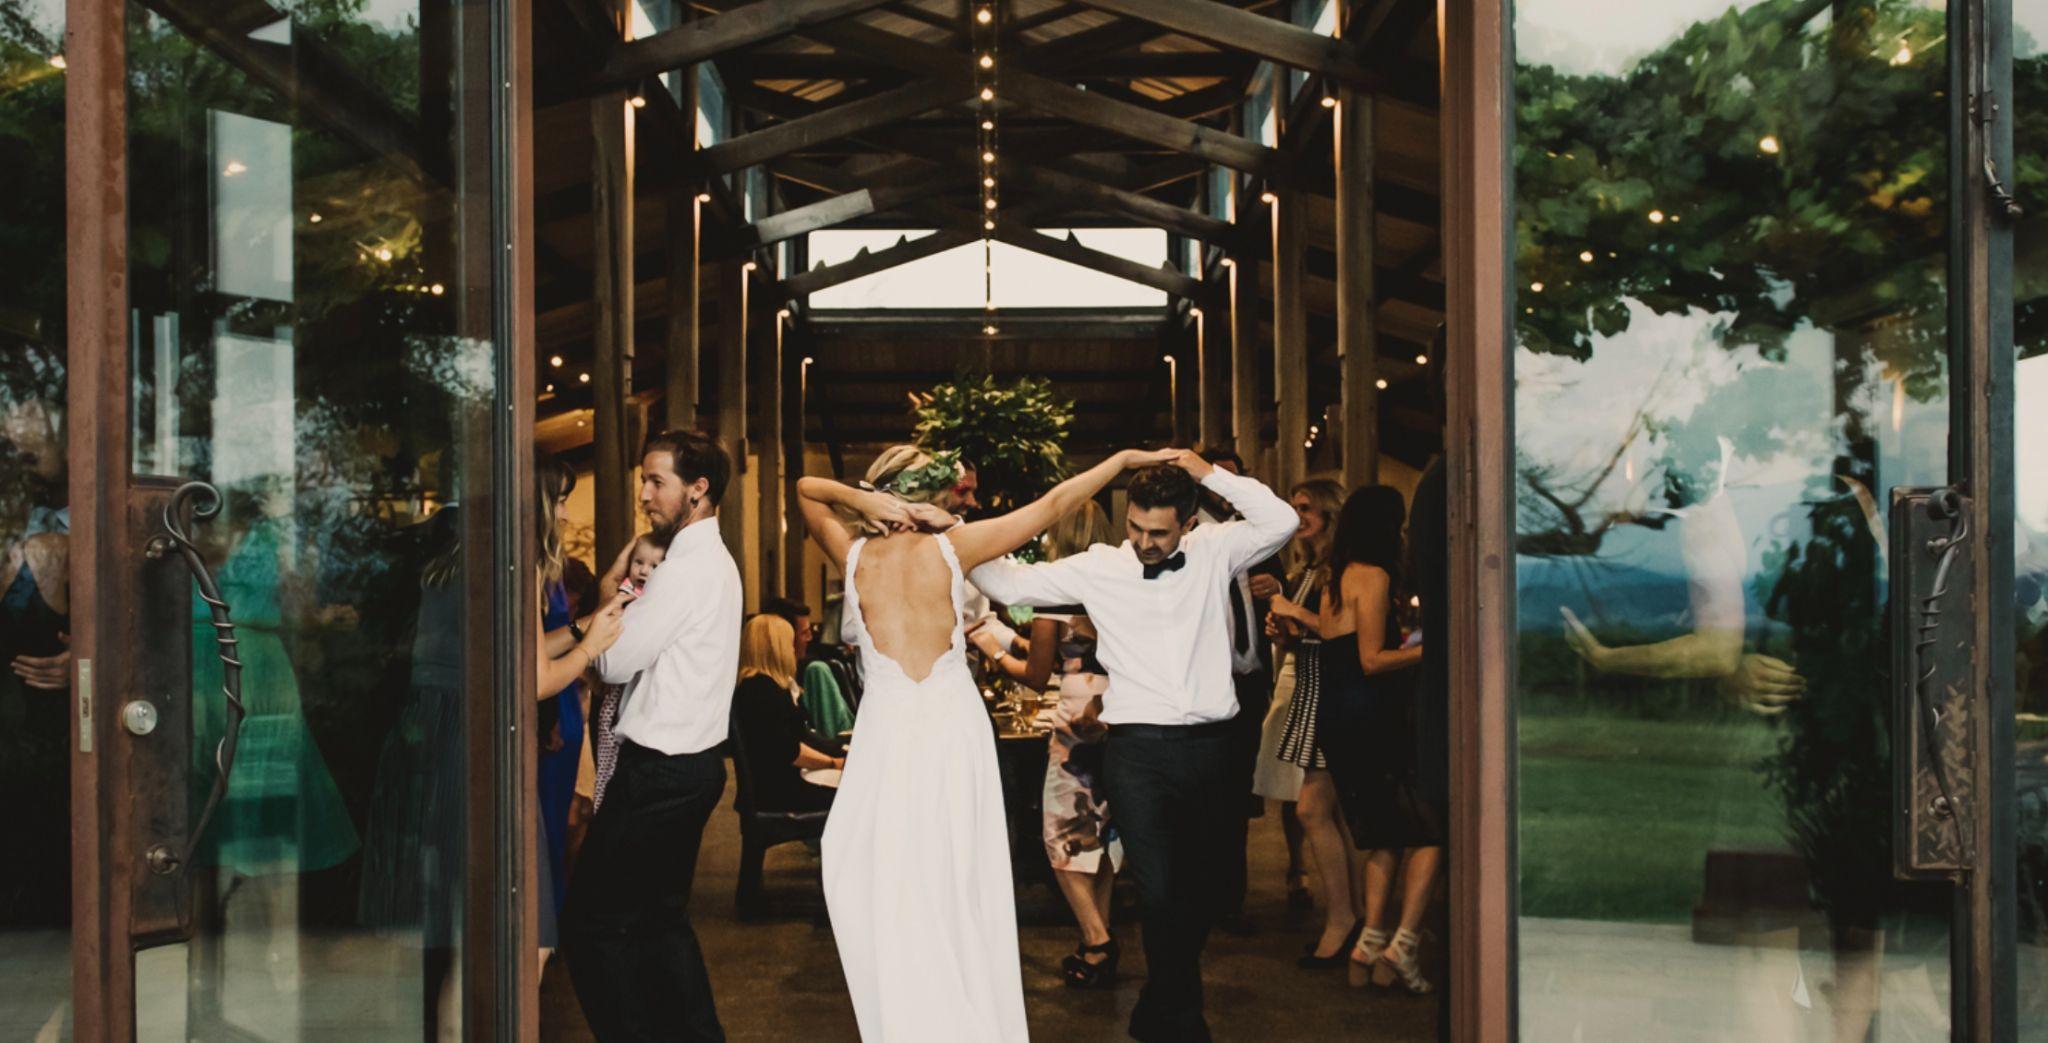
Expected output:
{"points": [[36, 876]]}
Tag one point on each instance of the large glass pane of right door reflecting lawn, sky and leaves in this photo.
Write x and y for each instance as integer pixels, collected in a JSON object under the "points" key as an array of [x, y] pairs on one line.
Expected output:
{"points": [[1732, 345]]}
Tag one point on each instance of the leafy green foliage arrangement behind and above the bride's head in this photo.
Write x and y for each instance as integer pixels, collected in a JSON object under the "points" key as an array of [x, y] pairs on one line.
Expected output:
{"points": [[1015, 435]]}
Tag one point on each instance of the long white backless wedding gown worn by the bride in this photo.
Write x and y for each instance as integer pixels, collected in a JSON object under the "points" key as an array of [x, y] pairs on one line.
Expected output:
{"points": [[919, 853]]}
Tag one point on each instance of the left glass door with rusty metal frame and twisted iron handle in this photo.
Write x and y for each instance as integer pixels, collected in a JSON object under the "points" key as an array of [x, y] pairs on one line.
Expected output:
{"points": [[298, 442]]}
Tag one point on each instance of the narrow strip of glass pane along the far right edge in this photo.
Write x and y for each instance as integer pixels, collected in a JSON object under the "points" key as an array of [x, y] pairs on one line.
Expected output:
{"points": [[2031, 491]]}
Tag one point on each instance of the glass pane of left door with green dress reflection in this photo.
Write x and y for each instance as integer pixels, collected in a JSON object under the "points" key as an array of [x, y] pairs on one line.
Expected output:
{"points": [[310, 286]]}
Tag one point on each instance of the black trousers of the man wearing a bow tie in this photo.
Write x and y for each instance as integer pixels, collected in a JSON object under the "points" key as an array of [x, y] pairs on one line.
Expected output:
{"points": [[1166, 786]]}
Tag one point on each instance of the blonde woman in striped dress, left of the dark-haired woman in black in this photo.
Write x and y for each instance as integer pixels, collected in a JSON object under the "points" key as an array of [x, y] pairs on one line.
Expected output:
{"points": [[1275, 778]]}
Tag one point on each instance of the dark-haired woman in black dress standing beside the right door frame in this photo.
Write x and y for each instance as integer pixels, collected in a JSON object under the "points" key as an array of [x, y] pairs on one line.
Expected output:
{"points": [[1369, 733]]}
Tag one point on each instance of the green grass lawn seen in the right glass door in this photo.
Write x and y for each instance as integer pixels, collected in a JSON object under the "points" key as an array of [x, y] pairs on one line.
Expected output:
{"points": [[1619, 815]]}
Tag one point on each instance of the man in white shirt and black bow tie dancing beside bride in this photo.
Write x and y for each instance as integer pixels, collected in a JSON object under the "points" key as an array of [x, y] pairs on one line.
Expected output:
{"points": [[1162, 610]]}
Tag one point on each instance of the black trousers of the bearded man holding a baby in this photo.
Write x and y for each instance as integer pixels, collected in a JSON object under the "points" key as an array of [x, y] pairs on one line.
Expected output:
{"points": [[626, 929]]}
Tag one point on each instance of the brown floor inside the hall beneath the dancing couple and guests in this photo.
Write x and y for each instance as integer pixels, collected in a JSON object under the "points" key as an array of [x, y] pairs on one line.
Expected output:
{"points": [[781, 981]]}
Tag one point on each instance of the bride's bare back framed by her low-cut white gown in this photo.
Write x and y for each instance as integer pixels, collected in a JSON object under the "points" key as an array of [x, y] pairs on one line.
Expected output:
{"points": [[906, 599]]}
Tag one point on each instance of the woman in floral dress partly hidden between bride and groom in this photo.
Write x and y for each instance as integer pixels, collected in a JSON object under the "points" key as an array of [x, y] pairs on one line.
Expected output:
{"points": [[1080, 839]]}
